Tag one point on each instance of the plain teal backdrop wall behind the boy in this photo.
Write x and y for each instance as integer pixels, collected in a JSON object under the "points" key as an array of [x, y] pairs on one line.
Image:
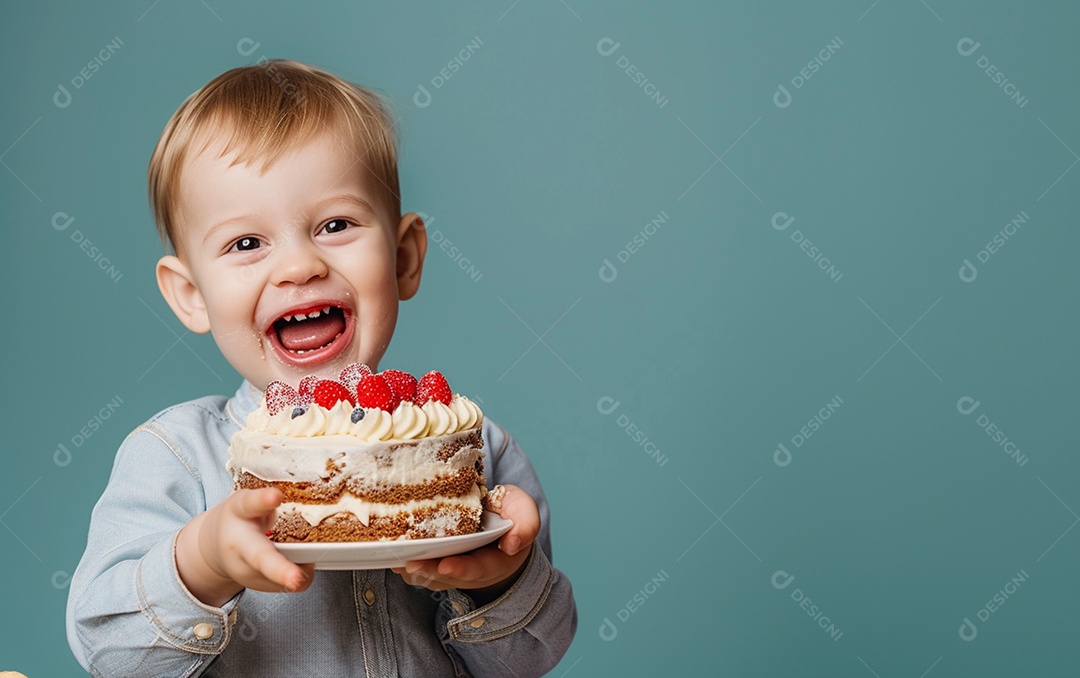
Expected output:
{"points": [[541, 159]]}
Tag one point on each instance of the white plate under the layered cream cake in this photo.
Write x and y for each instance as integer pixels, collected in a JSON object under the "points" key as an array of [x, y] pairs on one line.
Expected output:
{"points": [[393, 554]]}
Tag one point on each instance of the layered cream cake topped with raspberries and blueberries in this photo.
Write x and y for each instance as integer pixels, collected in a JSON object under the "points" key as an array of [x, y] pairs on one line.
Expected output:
{"points": [[367, 457]]}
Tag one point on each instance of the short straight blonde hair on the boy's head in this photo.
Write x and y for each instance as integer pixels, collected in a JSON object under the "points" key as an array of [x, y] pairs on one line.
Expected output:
{"points": [[264, 112]]}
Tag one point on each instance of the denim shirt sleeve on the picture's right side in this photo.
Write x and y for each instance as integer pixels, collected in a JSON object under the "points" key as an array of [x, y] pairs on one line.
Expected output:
{"points": [[529, 630]]}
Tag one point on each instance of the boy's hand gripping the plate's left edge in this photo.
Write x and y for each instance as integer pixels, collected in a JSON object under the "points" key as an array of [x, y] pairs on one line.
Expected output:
{"points": [[225, 550]]}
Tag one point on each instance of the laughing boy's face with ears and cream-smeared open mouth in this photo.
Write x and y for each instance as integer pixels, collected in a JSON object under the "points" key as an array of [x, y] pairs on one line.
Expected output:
{"points": [[306, 239]]}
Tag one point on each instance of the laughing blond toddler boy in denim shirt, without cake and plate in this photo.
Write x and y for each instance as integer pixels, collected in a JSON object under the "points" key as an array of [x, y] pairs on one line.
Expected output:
{"points": [[277, 187]]}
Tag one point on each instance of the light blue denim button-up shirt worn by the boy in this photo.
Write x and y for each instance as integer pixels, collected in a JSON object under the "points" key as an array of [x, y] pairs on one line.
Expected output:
{"points": [[130, 615]]}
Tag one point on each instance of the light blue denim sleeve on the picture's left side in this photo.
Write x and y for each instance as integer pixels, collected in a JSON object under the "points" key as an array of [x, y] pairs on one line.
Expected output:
{"points": [[129, 614]]}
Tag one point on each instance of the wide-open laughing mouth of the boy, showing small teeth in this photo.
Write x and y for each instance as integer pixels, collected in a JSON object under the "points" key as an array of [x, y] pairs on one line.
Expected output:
{"points": [[312, 335]]}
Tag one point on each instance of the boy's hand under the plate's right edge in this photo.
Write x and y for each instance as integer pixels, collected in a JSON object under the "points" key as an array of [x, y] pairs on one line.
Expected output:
{"points": [[487, 573]]}
